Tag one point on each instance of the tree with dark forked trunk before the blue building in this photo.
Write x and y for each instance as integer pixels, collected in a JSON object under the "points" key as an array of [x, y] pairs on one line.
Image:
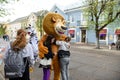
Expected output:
{"points": [[100, 13]]}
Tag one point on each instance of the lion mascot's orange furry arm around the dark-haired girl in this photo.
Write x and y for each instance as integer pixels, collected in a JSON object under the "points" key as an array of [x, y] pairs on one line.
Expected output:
{"points": [[42, 49]]}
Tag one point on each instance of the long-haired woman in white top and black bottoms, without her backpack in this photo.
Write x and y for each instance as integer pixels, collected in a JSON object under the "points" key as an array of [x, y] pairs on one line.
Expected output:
{"points": [[28, 55]]}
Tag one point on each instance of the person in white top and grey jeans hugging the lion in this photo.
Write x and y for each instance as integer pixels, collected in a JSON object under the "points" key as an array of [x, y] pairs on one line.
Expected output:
{"points": [[64, 57]]}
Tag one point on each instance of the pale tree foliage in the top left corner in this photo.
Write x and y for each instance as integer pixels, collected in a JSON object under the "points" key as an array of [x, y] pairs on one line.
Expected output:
{"points": [[3, 9]]}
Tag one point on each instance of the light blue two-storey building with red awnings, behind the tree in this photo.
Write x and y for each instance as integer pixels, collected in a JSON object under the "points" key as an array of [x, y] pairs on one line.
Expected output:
{"points": [[79, 32]]}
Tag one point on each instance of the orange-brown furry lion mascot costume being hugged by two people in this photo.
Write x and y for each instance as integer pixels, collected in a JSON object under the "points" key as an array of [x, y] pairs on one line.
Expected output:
{"points": [[53, 24]]}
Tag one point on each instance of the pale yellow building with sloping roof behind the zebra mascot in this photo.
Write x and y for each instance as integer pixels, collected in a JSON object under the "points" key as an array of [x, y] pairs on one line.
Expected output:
{"points": [[34, 19]]}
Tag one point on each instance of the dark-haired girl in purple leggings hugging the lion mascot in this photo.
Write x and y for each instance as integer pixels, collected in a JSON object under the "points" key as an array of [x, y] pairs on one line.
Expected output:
{"points": [[48, 56]]}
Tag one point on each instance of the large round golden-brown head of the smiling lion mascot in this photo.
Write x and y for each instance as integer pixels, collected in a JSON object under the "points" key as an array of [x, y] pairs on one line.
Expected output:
{"points": [[54, 24]]}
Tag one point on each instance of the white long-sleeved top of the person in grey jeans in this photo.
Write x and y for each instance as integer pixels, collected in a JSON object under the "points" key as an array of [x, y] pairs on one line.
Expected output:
{"points": [[63, 45]]}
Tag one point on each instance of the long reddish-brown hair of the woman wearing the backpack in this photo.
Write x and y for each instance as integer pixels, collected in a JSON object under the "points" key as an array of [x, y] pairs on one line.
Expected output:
{"points": [[20, 41]]}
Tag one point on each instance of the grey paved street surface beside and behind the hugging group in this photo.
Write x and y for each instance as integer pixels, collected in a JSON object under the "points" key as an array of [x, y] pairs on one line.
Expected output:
{"points": [[89, 64]]}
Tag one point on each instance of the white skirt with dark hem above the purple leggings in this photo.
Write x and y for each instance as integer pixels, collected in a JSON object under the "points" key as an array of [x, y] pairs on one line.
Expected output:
{"points": [[45, 63]]}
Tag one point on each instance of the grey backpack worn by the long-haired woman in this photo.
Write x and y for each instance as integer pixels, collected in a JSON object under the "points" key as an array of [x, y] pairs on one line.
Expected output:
{"points": [[14, 64]]}
